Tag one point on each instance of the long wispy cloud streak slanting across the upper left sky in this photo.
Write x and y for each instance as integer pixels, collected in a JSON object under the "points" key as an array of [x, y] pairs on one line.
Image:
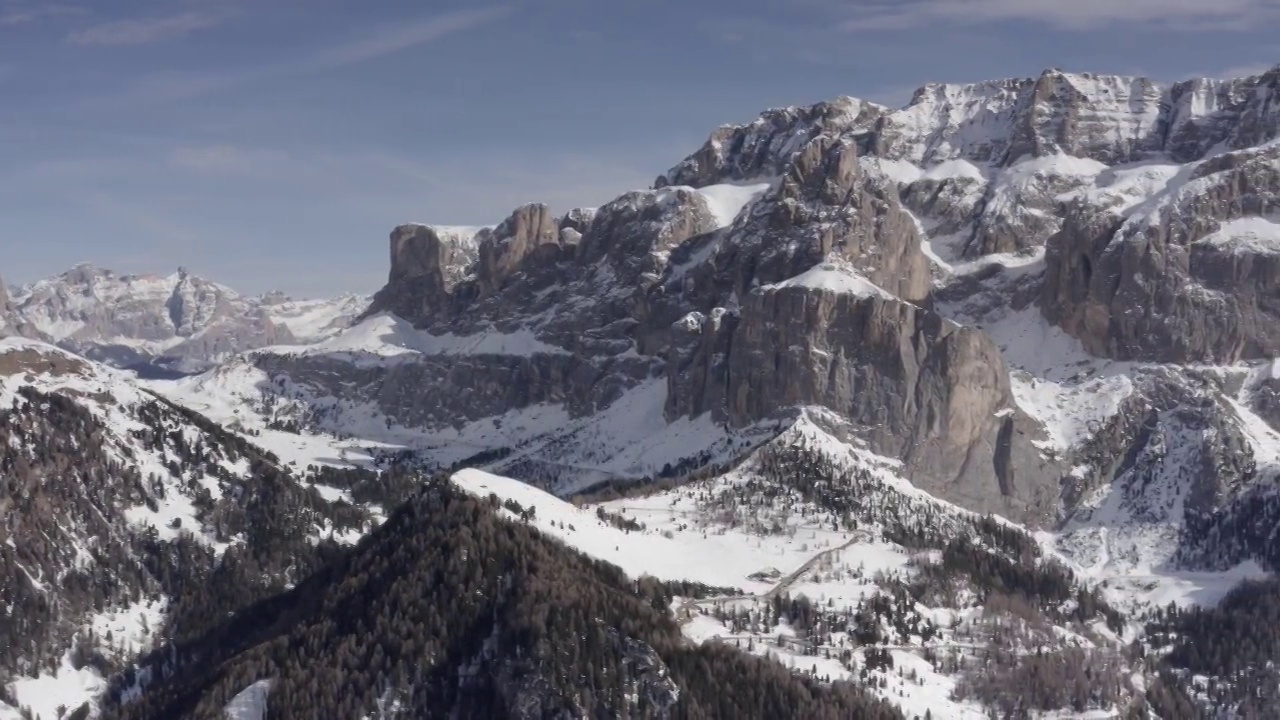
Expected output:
{"points": [[387, 42]]}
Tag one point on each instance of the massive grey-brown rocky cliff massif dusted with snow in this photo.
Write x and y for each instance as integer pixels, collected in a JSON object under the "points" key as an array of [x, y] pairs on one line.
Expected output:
{"points": [[881, 265]]}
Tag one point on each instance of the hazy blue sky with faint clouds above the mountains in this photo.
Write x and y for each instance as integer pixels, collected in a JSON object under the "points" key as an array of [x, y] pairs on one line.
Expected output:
{"points": [[273, 144]]}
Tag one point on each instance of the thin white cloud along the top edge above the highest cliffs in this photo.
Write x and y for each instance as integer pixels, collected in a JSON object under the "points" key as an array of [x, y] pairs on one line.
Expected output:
{"points": [[1067, 15]]}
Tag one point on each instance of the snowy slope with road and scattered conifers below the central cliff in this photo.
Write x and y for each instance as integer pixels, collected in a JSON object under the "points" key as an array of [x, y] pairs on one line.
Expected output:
{"points": [[758, 541]]}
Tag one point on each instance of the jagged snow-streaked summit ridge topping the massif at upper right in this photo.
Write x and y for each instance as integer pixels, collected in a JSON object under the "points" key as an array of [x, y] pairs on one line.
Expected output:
{"points": [[1110, 119]]}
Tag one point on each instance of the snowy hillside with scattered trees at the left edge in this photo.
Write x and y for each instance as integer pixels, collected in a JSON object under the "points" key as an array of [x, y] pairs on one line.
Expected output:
{"points": [[102, 481]]}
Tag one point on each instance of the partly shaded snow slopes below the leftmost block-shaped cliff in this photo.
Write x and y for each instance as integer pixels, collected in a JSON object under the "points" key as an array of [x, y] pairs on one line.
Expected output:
{"points": [[542, 443]]}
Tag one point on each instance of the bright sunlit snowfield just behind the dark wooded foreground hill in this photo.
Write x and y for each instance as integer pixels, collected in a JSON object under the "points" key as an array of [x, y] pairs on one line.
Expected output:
{"points": [[683, 541]]}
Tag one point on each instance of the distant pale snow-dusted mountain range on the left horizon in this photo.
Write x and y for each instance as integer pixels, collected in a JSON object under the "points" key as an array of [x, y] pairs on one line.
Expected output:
{"points": [[177, 322]]}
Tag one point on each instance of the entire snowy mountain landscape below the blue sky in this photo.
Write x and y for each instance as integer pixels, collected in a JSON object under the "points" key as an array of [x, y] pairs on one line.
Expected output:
{"points": [[968, 409]]}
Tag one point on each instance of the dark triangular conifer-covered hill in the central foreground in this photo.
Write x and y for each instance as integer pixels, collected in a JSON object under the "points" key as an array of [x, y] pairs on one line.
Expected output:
{"points": [[451, 612]]}
